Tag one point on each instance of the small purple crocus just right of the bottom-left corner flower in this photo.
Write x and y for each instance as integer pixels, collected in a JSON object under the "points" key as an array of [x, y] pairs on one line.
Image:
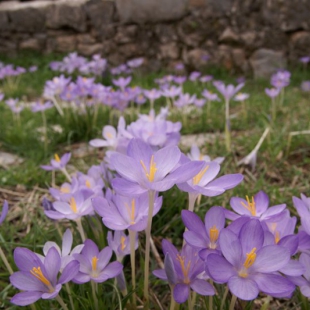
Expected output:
{"points": [[94, 265]]}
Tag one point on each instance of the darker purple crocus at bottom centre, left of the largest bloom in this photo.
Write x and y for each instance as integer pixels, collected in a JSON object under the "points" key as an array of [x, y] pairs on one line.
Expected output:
{"points": [[182, 271]]}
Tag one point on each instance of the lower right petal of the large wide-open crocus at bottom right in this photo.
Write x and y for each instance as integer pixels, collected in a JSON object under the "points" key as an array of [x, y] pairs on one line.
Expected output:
{"points": [[274, 285]]}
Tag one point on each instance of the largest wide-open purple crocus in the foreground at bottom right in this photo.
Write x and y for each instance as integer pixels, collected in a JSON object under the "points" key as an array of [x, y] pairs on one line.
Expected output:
{"points": [[248, 266]]}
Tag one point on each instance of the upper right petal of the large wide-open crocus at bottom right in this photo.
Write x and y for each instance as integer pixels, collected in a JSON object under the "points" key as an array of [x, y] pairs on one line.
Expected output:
{"points": [[271, 258]]}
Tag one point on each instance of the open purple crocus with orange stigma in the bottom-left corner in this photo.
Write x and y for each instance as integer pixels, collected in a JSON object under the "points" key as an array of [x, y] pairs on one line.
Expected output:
{"points": [[38, 279]]}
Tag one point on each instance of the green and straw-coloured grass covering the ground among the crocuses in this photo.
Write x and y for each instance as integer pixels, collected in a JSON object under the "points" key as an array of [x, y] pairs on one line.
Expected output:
{"points": [[280, 172]]}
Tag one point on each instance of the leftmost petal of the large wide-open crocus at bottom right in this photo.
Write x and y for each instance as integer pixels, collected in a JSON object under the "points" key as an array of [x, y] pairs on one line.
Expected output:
{"points": [[219, 269]]}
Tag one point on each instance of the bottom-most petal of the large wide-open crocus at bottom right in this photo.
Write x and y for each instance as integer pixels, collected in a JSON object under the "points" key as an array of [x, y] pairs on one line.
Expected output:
{"points": [[243, 288]]}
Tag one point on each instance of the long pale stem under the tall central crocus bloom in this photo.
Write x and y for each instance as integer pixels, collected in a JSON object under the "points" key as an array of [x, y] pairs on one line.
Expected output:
{"points": [[147, 245]]}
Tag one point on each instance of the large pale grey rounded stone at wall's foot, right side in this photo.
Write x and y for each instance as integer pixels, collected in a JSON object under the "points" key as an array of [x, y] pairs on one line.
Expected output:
{"points": [[265, 62]]}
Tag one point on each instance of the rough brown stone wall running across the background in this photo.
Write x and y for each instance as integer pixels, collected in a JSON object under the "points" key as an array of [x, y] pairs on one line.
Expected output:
{"points": [[243, 35]]}
